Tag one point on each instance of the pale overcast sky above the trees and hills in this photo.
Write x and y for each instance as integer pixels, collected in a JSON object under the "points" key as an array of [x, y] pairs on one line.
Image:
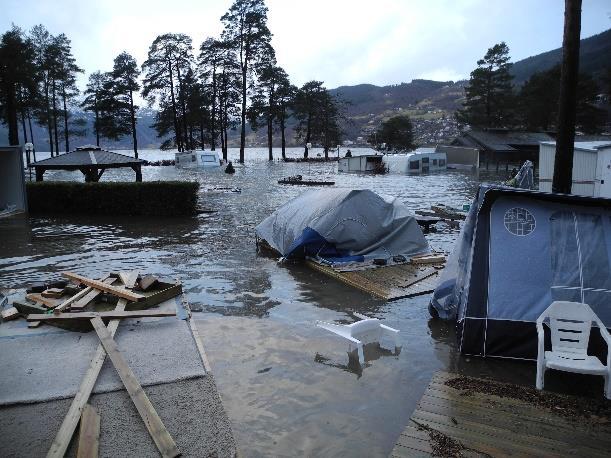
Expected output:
{"points": [[341, 42]]}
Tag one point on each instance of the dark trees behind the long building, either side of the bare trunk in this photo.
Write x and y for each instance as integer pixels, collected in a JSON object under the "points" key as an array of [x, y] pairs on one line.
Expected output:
{"points": [[492, 101]]}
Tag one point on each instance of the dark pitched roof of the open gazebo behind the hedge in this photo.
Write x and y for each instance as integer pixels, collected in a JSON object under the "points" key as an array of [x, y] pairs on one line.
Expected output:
{"points": [[88, 156]]}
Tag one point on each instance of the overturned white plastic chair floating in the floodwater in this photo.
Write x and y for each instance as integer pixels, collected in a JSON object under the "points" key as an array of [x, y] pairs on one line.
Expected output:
{"points": [[360, 333]]}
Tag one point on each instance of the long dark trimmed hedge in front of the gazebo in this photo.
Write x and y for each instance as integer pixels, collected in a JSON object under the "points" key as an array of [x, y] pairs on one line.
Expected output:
{"points": [[151, 198]]}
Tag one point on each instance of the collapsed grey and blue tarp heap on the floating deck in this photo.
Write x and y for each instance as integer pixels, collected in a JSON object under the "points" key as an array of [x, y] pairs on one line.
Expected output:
{"points": [[342, 225]]}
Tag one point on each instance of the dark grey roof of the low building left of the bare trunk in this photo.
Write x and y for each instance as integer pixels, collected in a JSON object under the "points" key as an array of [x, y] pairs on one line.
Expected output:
{"points": [[501, 140]]}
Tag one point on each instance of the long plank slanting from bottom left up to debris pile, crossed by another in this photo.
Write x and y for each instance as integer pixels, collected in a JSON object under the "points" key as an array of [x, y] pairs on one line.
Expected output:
{"points": [[66, 431]]}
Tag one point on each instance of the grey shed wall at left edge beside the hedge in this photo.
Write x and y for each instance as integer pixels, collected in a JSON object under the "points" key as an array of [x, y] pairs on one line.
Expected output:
{"points": [[12, 181]]}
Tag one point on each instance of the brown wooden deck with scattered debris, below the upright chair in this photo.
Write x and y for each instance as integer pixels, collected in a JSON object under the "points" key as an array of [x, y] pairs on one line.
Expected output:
{"points": [[476, 424]]}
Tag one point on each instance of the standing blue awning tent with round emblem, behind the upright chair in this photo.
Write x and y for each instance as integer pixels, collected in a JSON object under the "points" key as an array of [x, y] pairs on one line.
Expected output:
{"points": [[517, 253]]}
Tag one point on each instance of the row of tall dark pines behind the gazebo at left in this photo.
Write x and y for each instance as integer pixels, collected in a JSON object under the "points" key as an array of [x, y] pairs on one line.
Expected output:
{"points": [[199, 94]]}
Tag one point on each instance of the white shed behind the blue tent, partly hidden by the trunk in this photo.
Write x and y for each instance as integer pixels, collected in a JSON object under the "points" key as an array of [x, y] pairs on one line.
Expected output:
{"points": [[591, 168]]}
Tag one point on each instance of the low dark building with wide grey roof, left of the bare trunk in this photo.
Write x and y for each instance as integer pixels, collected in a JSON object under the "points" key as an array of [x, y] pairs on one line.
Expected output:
{"points": [[503, 146]]}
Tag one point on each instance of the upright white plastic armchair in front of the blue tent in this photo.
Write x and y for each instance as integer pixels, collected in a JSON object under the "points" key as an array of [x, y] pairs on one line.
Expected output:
{"points": [[570, 324]]}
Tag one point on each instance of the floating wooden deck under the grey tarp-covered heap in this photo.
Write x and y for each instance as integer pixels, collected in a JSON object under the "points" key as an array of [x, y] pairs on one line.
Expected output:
{"points": [[388, 282]]}
